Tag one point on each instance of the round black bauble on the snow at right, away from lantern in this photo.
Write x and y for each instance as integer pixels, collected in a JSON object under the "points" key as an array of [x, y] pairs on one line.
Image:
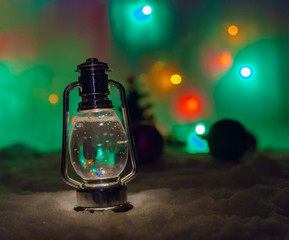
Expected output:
{"points": [[228, 140]]}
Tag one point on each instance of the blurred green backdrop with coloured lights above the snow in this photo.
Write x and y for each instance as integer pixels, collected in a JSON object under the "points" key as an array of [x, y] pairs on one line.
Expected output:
{"points": [[43, 41]]}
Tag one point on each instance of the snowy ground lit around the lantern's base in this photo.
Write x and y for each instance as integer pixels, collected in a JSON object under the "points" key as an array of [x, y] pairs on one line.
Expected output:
{"points": [[188, 197]]}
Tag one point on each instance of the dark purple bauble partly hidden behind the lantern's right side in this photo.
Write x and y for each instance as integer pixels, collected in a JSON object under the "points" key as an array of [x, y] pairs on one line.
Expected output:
{"points": [[149, 144]]}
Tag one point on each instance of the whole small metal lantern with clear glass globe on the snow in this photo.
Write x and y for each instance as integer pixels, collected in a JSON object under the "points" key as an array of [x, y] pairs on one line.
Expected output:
{"points": [[98, 145]]}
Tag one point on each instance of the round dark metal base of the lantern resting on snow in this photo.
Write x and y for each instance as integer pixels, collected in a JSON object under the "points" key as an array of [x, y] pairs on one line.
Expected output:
{"points": [[101, 199]]}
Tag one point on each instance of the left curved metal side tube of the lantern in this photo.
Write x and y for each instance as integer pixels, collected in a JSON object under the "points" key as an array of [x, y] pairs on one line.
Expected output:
{"points": [[64, 167]]}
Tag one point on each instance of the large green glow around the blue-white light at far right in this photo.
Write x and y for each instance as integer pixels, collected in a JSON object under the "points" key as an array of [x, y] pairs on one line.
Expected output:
{"points": [[256, 101]]}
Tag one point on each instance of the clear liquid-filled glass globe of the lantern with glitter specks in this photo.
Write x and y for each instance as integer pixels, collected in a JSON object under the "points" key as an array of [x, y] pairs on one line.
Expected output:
{"points": [[98, 145]]}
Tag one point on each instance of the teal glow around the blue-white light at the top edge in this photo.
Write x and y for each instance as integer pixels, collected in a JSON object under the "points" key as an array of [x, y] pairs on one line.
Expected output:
{"points": [[140, 27]]}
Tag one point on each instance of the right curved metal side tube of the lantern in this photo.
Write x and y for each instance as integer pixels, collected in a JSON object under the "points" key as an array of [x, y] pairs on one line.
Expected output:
{"points": [[127, 125]]}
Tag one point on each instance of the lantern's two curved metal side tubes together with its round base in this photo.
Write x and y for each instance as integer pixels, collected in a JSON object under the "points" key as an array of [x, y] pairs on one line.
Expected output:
{"points": [[92, 196]]}
